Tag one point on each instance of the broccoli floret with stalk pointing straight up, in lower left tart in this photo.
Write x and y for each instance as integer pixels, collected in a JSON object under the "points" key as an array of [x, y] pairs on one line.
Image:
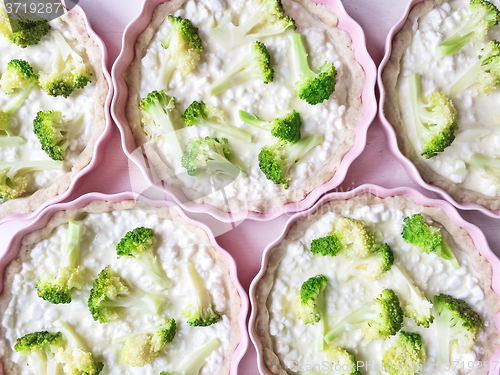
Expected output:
{"points": [[58, 289]]}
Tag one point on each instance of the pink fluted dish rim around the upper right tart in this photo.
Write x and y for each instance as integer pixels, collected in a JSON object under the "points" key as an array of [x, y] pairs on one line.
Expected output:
{"points": [[428, 180]]}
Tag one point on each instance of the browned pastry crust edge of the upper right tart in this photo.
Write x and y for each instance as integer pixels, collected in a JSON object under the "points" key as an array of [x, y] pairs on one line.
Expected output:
{"points": [[392, 112]]}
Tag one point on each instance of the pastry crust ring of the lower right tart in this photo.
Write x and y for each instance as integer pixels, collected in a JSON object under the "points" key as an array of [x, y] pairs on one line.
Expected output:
{"points": [[459, 235]]}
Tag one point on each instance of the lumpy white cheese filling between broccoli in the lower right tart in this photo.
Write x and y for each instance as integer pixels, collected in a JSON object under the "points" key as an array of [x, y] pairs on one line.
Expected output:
{"points": [[296, 343]]}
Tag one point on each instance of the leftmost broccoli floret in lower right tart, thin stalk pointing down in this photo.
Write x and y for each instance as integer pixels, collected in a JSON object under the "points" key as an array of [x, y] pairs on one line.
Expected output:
{"points": [[310, 304]]}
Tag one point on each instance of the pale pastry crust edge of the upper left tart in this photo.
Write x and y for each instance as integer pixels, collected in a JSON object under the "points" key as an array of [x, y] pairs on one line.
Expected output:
{"points": [[61, 184]]}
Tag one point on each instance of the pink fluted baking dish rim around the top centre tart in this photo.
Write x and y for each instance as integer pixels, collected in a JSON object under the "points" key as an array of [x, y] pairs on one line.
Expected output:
{"points": [[119, 102]]}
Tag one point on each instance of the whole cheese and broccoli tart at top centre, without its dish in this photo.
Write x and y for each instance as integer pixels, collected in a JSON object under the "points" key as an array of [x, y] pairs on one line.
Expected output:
{"points": [[244, 105]]}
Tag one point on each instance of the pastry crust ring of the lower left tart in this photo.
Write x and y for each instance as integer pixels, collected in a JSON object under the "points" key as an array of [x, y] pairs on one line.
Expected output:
{"points": [[61, 218]]}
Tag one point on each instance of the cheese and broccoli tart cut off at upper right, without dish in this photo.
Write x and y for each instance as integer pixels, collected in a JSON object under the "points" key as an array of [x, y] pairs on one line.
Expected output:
{"points": [[442, 94]]}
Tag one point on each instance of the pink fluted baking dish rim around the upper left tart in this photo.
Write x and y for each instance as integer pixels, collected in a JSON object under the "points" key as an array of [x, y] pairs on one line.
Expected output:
{"points": [[98, 151]]}
